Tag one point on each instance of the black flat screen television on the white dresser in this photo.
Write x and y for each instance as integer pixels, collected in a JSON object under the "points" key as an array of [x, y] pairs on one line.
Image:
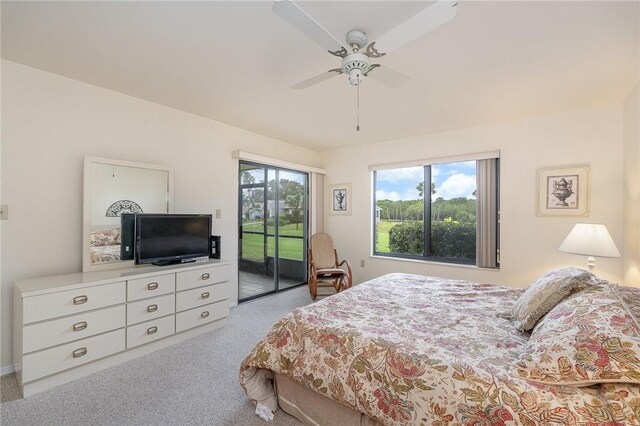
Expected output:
{"points": [[163, 239]]}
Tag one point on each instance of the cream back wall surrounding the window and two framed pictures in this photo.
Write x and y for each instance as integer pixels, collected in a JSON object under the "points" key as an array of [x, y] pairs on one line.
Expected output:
{"points": [[529, 244]]}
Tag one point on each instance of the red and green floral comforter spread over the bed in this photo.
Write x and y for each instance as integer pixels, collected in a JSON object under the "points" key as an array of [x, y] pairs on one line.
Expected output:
{"points": [[409, 349]]}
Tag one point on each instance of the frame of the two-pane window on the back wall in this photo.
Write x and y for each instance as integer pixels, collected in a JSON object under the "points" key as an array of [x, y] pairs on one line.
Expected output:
{"points": [[427, 250]]}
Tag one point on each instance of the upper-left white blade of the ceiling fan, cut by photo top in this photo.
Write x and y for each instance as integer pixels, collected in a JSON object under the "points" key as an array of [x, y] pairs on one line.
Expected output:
{"points": [[298, 18]]}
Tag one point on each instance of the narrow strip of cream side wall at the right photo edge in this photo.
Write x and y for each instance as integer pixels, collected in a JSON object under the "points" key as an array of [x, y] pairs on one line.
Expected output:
{"points": [[631, 150]]}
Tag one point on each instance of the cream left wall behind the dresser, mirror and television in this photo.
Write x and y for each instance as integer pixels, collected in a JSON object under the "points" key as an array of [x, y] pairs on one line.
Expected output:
{"points": [[50, 122]]}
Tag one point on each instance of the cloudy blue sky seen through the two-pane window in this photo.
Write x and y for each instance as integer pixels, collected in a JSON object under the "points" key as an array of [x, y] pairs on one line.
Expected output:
{"points": [[451, 179]]}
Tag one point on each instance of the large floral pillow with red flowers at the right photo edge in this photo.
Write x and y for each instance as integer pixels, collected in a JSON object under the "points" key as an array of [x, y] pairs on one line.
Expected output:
{"points": [[588, 338]]}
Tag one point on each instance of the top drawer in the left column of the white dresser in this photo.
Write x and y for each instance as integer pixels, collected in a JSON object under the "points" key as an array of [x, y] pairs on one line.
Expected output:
{"points": [[46, 306]]}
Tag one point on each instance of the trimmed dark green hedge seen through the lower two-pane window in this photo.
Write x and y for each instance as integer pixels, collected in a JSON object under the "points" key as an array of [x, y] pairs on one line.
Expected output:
{"points": [[448, 239]]}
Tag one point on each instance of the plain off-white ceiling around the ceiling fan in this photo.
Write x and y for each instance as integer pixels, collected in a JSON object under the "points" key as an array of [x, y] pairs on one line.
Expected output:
{"points": [[235, 61]]}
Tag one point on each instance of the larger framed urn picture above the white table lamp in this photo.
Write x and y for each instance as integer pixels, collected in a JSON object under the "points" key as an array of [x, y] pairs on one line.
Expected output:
{"points": [[563, 191]]}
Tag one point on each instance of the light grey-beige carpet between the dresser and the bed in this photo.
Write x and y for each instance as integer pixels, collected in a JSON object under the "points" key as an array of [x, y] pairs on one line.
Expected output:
{"points": [[191, 383]]}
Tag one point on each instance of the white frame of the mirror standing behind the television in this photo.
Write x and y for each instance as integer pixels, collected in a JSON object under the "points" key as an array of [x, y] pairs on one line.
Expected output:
{"points": [[86, 214]]}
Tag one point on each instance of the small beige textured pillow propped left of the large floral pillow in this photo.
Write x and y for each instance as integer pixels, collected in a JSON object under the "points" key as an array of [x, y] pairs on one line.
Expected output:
{"points": [[545, 293]]}
